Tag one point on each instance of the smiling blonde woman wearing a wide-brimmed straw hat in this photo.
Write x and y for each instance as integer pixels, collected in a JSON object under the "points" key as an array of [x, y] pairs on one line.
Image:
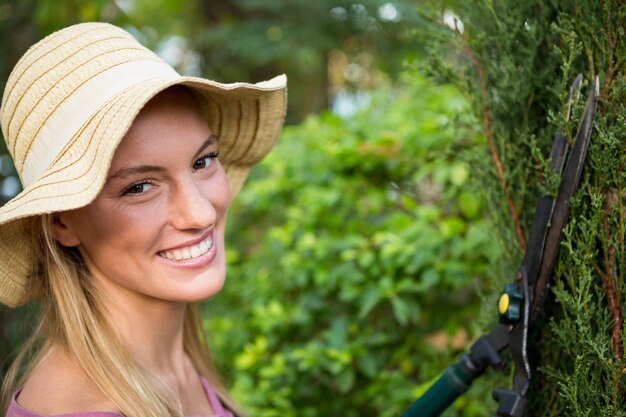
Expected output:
{"points": [[128, 170]]}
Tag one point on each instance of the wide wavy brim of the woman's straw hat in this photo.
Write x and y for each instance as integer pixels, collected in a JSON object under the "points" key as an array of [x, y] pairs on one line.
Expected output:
{"points": [[246, 118]]}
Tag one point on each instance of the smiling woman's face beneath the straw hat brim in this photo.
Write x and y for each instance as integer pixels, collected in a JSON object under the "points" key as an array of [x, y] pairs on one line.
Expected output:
{"points": [[156, 230]]}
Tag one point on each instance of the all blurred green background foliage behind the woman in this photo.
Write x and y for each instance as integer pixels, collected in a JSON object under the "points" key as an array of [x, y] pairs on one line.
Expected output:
{"points": [[361, 249]]}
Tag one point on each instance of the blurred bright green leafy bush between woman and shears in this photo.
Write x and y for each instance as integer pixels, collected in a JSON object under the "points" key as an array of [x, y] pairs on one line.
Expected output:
{"points": [[356, 256]]}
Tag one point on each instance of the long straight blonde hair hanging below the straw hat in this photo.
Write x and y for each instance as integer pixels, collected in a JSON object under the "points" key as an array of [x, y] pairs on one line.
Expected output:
{"points": [[72, 317]]}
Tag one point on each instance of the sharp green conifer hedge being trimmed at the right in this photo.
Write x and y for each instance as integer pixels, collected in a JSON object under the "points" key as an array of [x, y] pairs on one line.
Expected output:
{"points": [[515, 60]]}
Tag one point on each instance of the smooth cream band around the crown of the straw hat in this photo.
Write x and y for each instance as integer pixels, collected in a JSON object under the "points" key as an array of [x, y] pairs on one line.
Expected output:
{"points": [[79, 108]]}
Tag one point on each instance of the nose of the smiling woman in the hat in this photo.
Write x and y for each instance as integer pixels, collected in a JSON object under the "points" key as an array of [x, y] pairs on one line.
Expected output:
{"points": [[191, 207]]}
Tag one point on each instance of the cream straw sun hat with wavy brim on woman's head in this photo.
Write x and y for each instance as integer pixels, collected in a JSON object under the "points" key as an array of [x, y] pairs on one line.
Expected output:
{"points": [[69, 102]]}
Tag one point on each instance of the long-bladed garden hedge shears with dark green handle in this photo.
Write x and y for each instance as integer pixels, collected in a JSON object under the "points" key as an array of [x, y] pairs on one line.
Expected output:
{"points": [[522, 301]]}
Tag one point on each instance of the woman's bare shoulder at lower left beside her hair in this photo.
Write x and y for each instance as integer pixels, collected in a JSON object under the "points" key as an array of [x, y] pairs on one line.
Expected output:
{"points": [[56, 386]]}
